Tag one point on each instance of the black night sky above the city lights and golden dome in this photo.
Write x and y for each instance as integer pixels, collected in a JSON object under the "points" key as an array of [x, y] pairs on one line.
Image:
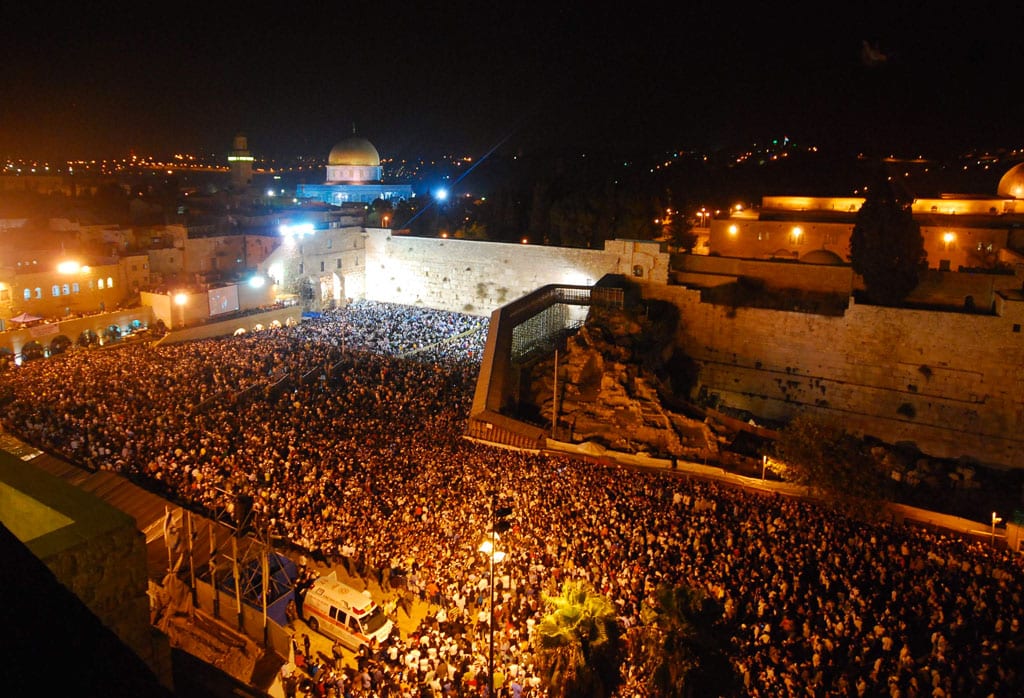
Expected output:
{"points": [[103, 79]]}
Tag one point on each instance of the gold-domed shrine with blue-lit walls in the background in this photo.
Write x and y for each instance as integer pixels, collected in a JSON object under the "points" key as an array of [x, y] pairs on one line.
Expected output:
{"points": [[354, 176]]}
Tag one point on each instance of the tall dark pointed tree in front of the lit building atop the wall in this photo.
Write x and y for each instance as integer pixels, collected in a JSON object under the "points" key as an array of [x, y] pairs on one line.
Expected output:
{"points": [[886, 246]]}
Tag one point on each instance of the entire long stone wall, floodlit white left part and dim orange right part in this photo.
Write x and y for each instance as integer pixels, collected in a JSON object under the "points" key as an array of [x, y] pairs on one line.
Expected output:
{"points": [[952, 383]]}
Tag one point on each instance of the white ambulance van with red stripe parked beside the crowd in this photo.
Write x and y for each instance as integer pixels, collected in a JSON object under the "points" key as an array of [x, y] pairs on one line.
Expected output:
{"points": [[337, 610]]}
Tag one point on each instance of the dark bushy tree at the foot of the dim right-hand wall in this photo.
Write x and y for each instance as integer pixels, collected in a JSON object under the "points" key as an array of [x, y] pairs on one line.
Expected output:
{"points": [[819, 454]]}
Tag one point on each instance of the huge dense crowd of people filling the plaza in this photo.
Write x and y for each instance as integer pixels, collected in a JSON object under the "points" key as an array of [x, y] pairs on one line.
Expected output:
{"points": [[348, 430]]}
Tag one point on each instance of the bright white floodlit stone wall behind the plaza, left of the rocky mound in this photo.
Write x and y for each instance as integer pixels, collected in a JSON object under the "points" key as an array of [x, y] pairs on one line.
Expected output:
{"points": [[477, 278]]}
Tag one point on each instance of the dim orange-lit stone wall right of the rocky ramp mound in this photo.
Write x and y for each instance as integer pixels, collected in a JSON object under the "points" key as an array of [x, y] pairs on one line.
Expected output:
{"points": [[952, 383]]}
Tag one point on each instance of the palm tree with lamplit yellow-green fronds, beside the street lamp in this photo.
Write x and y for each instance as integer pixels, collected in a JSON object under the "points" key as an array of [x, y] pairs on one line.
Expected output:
{"points": [[577, 643]]}
